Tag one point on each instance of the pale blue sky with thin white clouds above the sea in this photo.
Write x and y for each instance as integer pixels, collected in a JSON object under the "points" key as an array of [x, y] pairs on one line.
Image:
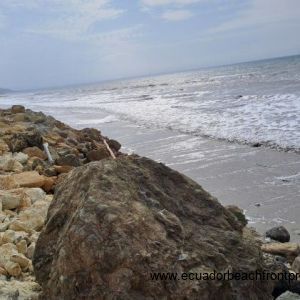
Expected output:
{"points": [[47, 43]]}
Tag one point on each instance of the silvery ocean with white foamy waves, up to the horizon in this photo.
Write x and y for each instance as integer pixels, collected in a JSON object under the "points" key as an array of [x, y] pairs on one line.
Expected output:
{"points": [[255, 102]]}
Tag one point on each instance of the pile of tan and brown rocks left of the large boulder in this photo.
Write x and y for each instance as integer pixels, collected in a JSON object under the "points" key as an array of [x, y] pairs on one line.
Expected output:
{"points": [[27, 182]]}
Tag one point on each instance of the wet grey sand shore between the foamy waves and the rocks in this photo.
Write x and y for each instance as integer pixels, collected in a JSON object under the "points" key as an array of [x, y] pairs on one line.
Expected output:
{"points": [[264, 182]]}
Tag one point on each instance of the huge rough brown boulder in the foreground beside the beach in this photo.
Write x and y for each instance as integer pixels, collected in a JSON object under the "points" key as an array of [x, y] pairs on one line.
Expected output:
{"points": [[113, 223]]}
